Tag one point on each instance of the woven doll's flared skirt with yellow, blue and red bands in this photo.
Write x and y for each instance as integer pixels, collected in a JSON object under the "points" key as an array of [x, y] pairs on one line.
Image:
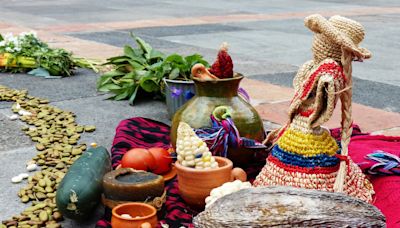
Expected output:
{"points": [[310, 161]]}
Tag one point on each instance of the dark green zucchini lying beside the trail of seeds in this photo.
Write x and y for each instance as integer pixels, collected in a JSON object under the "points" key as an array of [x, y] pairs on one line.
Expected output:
{"points": [[80, 190]]}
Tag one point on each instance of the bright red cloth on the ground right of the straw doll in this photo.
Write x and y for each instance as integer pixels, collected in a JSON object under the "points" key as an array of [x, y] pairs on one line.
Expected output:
{"points": [[386, 182]]}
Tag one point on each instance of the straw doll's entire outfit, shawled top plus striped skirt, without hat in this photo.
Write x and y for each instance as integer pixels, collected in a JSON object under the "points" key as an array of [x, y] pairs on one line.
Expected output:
{"points": [[305, 154]]}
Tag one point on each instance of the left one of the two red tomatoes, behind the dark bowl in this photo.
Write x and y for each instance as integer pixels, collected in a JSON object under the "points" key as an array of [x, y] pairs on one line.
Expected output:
{"points": [[138, 158]]}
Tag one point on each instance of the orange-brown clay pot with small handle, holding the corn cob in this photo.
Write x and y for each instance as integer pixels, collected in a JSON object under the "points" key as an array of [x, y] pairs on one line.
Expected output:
{"points": [[195, 185]]}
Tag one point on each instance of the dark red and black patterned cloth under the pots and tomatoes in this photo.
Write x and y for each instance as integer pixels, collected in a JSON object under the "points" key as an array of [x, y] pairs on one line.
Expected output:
{"points": [[145, 133]]}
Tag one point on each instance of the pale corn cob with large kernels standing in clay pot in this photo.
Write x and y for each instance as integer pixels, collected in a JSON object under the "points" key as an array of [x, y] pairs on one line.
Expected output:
{"points": [[191, 150]]}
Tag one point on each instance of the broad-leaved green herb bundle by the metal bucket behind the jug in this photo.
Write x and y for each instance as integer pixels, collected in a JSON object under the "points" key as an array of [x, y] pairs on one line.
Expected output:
{"points": [[142, 69]]}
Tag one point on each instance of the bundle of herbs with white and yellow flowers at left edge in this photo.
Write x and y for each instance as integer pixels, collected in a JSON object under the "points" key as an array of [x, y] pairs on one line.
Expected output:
{"points": [[26, 52]]}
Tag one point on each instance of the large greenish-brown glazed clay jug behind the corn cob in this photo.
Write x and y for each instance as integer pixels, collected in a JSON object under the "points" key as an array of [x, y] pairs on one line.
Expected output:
{"points": [[211, 94]]}
